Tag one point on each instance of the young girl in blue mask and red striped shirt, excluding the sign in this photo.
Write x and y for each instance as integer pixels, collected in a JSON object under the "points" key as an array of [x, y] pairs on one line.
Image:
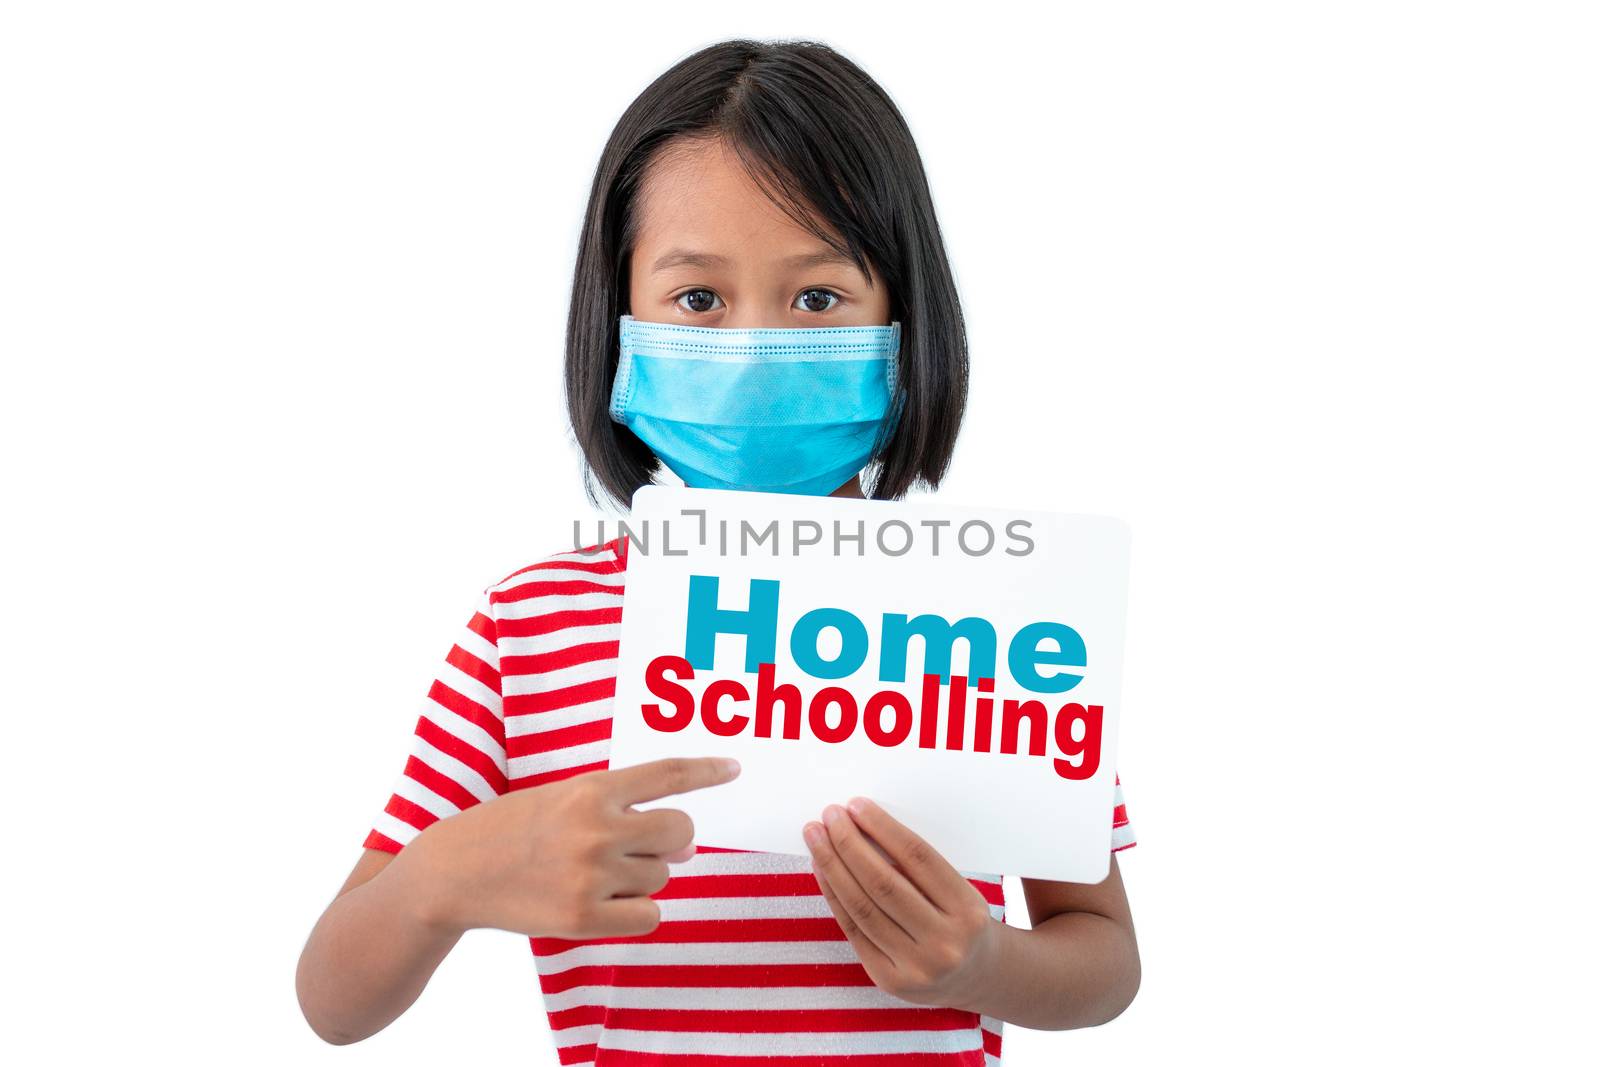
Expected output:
{"points": [[751, 188]]}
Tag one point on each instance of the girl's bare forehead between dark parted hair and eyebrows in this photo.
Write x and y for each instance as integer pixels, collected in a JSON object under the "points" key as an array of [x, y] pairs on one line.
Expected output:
{"points": [[698, 196]]}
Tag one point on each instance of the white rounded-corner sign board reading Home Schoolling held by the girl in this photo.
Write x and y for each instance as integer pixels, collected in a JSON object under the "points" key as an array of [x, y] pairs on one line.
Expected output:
{"points": [[959, 666]]}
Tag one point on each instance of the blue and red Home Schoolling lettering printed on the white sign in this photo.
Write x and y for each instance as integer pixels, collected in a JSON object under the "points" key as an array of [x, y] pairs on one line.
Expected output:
{"points": [[1046, 658]]}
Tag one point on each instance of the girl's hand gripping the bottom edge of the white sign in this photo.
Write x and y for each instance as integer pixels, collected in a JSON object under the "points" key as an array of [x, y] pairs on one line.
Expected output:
{"points": [[921, 929]]}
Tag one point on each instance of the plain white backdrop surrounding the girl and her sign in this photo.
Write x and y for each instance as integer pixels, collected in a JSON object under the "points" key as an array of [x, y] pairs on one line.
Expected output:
{"points": [[1306, 294]]}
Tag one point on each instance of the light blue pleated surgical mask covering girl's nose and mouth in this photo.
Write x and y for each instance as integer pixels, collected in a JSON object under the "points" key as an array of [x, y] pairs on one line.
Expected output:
{"points": [[775, 410]]}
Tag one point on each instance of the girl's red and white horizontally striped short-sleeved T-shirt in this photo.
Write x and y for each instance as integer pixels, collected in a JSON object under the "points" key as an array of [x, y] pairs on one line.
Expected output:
{"points": [[748, 961]]}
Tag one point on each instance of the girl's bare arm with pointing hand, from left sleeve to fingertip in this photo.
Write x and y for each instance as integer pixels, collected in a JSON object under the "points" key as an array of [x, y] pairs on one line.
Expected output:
{"points": [[566, 860]]}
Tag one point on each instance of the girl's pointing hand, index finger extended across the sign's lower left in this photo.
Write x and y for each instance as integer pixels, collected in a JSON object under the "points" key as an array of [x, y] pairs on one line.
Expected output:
{"points": [[567, 860]]}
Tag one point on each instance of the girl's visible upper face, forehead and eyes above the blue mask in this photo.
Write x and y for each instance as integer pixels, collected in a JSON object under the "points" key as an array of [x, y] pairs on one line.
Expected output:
{"points": [[714, 252]]}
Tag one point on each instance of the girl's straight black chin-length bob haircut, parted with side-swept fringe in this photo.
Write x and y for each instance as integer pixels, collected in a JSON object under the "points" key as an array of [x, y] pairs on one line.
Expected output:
{"points": [[830, 148]]}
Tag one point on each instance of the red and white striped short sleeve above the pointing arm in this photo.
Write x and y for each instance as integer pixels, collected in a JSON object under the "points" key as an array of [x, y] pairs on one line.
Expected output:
{"points": [[458, 745]]}
